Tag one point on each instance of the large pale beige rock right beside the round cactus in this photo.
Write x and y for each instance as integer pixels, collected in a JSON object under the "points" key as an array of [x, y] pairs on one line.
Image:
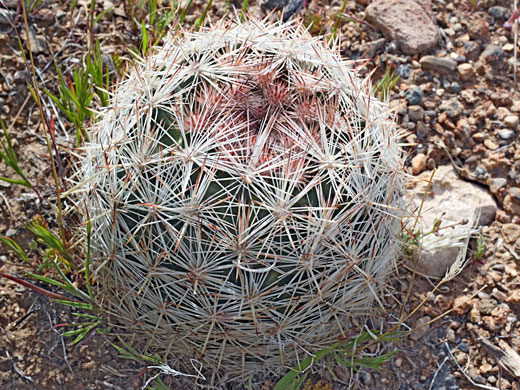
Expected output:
{"points": [[453, 201]]}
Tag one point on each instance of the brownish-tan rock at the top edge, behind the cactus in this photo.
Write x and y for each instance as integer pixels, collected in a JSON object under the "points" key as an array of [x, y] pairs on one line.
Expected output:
{"points": [[409, 22]]}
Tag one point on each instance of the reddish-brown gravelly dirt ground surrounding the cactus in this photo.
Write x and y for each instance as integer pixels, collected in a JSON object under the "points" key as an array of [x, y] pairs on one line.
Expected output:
{"points": [[456, 352]]}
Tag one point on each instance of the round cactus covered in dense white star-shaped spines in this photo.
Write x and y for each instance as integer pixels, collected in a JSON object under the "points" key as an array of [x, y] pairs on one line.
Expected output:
{"points": [[244, 190]]}
